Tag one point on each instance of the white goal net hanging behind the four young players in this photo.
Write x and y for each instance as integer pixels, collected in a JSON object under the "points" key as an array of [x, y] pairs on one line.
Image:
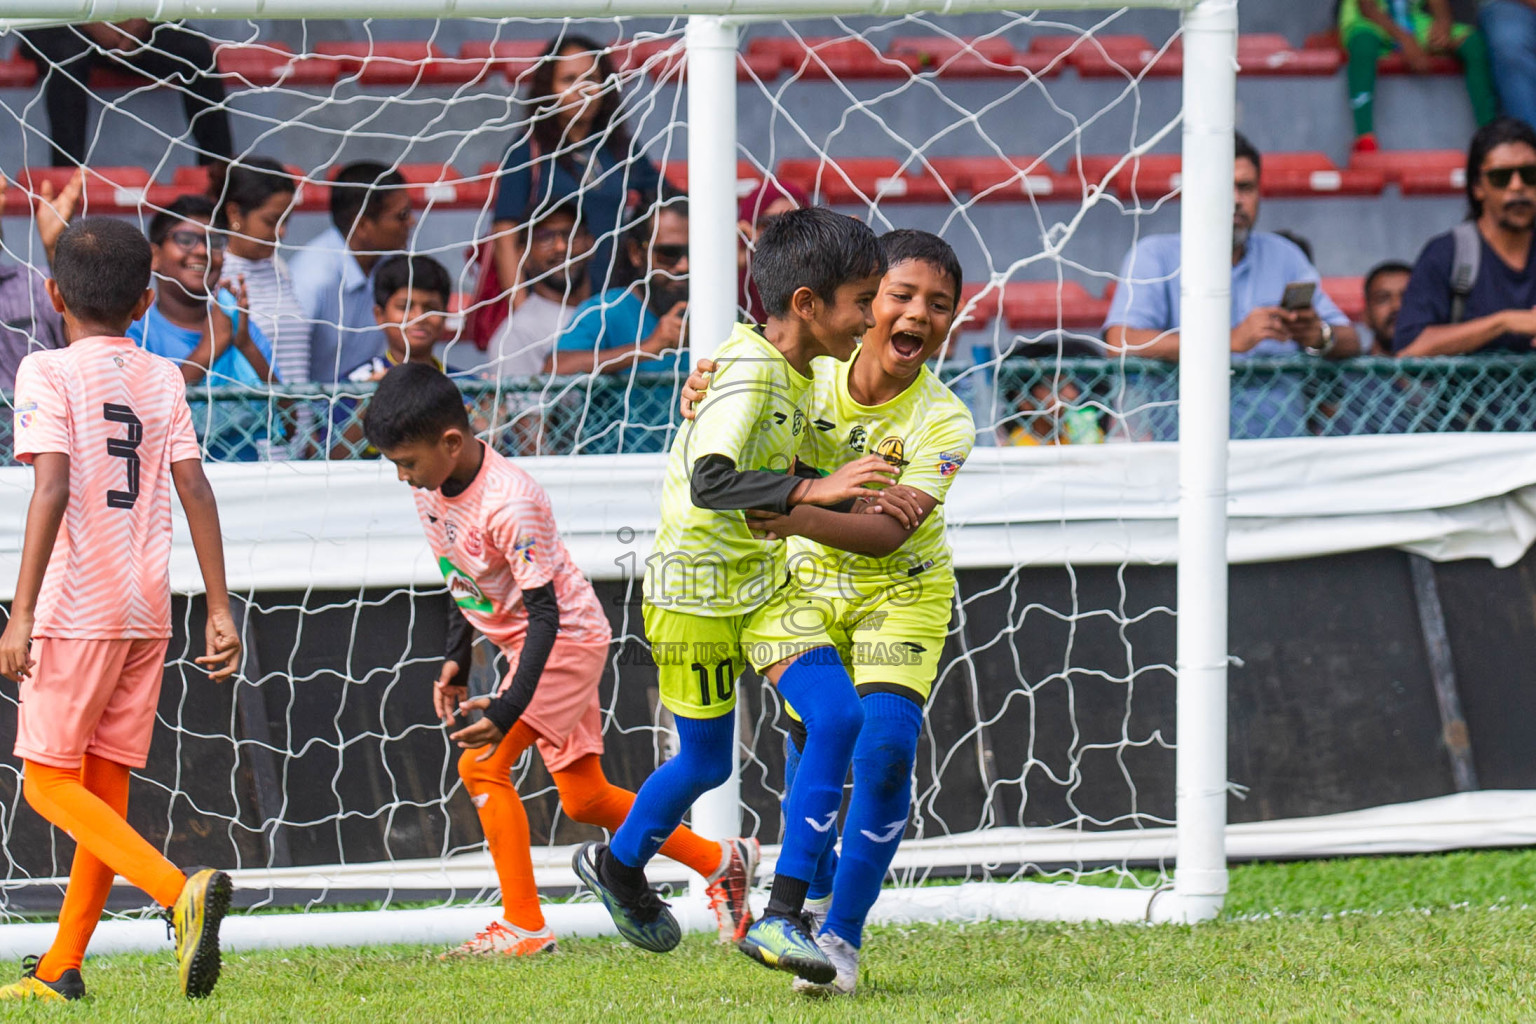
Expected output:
{"points": [[1054, 736]]}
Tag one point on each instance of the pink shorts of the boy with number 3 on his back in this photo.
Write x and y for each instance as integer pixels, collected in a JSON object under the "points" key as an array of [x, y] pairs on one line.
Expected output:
{"points": [[90, 698]]}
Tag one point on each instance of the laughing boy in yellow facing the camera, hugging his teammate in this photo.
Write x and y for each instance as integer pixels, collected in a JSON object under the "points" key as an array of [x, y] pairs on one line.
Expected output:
{"points": [[887, 613]]}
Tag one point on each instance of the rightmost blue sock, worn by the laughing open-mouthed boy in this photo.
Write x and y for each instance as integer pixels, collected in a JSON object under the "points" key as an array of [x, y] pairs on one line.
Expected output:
{"points": [[876, 811]]}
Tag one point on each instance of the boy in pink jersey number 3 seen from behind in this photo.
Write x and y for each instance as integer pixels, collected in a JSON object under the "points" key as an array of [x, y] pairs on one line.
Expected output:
{"points": [[108, 432]]}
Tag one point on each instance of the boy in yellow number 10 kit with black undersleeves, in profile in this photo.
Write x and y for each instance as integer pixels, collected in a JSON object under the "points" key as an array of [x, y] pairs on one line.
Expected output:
{"points": [[818, 274]]}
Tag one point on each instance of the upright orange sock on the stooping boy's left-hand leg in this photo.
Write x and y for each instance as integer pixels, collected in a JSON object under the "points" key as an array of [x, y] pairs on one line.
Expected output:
{"points": [[506, 824]]}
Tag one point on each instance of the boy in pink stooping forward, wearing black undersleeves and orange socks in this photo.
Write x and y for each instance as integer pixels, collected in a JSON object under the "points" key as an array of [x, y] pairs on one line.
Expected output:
{"points": [[491, 527]]}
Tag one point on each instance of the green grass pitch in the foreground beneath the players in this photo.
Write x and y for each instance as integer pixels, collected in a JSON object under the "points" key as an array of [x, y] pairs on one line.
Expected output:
{"points": [[1412, 939]]}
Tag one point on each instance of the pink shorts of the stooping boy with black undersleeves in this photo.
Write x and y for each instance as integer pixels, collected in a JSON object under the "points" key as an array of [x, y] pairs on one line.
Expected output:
{"points": [[564, 710]]}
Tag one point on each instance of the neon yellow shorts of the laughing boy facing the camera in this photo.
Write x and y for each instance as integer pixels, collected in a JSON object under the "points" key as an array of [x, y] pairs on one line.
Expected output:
{"points": [[890, 636]]}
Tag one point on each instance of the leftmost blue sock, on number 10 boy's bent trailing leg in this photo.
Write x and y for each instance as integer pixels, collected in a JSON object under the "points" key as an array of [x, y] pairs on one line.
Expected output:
{"points": [[703, 762]]}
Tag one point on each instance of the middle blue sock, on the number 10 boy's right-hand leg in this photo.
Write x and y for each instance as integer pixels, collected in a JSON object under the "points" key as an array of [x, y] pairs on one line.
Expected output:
{"points": [[823, 693]]}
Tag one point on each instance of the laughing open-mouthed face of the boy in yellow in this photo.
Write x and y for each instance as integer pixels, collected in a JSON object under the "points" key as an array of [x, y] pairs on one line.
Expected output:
{"points": [[913, 315]]}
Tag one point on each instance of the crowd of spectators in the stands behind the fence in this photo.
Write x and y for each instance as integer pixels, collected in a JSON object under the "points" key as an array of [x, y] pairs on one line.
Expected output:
{"points": [[584, 271]]}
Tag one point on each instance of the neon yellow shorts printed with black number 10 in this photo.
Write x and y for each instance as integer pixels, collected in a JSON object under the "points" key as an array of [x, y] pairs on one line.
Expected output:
{"points": [[698, 661]]}
